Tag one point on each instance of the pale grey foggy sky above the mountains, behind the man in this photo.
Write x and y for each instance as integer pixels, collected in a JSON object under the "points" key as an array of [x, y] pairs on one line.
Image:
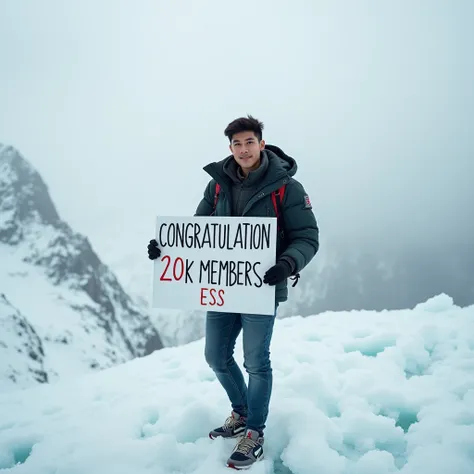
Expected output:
{"points": [[120, 104]]}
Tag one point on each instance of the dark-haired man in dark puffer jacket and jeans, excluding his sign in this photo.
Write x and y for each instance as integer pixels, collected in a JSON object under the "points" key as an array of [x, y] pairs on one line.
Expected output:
{"points": [[247, 179]]}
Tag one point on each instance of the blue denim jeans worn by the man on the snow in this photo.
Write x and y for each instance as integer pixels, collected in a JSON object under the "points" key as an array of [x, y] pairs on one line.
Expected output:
{"points": [[222, 330]]}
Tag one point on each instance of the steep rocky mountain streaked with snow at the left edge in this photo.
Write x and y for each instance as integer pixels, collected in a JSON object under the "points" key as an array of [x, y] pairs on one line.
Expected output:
{"points": [[53, 282]]}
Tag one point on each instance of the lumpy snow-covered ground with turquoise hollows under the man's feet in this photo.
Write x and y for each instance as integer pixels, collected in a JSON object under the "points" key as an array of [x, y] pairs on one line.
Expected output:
{"points": [[356, 393]]}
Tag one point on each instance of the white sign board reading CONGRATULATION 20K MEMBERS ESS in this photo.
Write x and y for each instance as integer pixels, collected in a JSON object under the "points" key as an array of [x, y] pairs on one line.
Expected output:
{"points": [[215, 264]]}
